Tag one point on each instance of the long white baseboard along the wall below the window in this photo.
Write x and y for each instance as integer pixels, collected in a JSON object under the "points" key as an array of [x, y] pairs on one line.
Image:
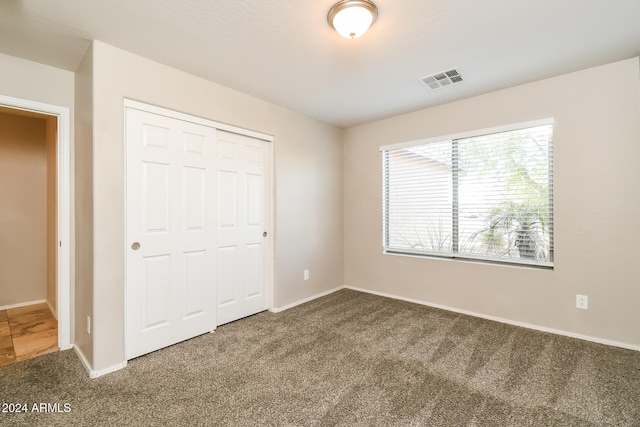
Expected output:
{"points": [[502, 320]]}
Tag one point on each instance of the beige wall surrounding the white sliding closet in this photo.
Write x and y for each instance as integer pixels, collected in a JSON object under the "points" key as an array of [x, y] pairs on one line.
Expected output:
{"points": [[308, 181]]}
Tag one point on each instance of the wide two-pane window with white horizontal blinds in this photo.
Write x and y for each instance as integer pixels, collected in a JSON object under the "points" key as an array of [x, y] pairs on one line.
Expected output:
{"points": [[482, 196]]}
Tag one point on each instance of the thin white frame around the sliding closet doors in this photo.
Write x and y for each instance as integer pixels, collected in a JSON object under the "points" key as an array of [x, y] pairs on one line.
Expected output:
{"points": [[137, 105]]}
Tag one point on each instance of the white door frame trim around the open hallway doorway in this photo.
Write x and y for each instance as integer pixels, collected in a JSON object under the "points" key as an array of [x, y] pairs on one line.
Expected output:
{"points": [[63, 205]]}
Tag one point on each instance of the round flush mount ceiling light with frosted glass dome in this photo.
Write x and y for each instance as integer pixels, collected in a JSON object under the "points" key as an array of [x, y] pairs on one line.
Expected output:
{"points": [[352, 18]]}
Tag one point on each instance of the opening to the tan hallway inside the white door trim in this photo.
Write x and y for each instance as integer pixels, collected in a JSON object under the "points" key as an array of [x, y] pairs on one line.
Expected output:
{"points": [[28, 289]]}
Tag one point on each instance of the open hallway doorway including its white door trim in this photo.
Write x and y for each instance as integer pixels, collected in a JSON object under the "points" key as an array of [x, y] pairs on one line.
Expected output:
{"points": [[35, 226]]}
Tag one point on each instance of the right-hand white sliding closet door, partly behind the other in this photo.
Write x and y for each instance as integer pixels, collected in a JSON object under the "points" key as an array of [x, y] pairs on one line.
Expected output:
{"points": [[243, 188]]}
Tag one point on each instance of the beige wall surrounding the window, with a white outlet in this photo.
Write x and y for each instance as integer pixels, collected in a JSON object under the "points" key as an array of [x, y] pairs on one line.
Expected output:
{"points": [[597, 206]]}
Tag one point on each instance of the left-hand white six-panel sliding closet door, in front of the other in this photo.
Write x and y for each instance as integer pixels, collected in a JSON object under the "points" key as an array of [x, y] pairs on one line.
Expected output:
{"points": [[171, 231]]}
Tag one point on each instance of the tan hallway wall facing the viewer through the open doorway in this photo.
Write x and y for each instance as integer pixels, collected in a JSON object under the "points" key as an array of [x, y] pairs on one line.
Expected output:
{"points": [[23, 209]]}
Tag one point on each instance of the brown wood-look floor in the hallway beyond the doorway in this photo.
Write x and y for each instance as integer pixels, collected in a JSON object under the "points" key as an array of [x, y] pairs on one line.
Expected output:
{"points": [[27, 332]]}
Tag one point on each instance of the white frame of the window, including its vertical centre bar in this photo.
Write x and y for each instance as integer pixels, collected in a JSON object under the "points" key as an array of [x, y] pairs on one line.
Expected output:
{"points": [[454, 254]]}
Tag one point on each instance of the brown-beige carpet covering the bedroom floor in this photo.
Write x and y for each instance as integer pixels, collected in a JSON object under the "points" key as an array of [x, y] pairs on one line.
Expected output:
{"points": [[348, 359]]}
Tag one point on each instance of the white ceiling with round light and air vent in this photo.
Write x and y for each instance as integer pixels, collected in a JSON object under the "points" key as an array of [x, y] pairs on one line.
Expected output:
{"points": [[283, 51]]}
